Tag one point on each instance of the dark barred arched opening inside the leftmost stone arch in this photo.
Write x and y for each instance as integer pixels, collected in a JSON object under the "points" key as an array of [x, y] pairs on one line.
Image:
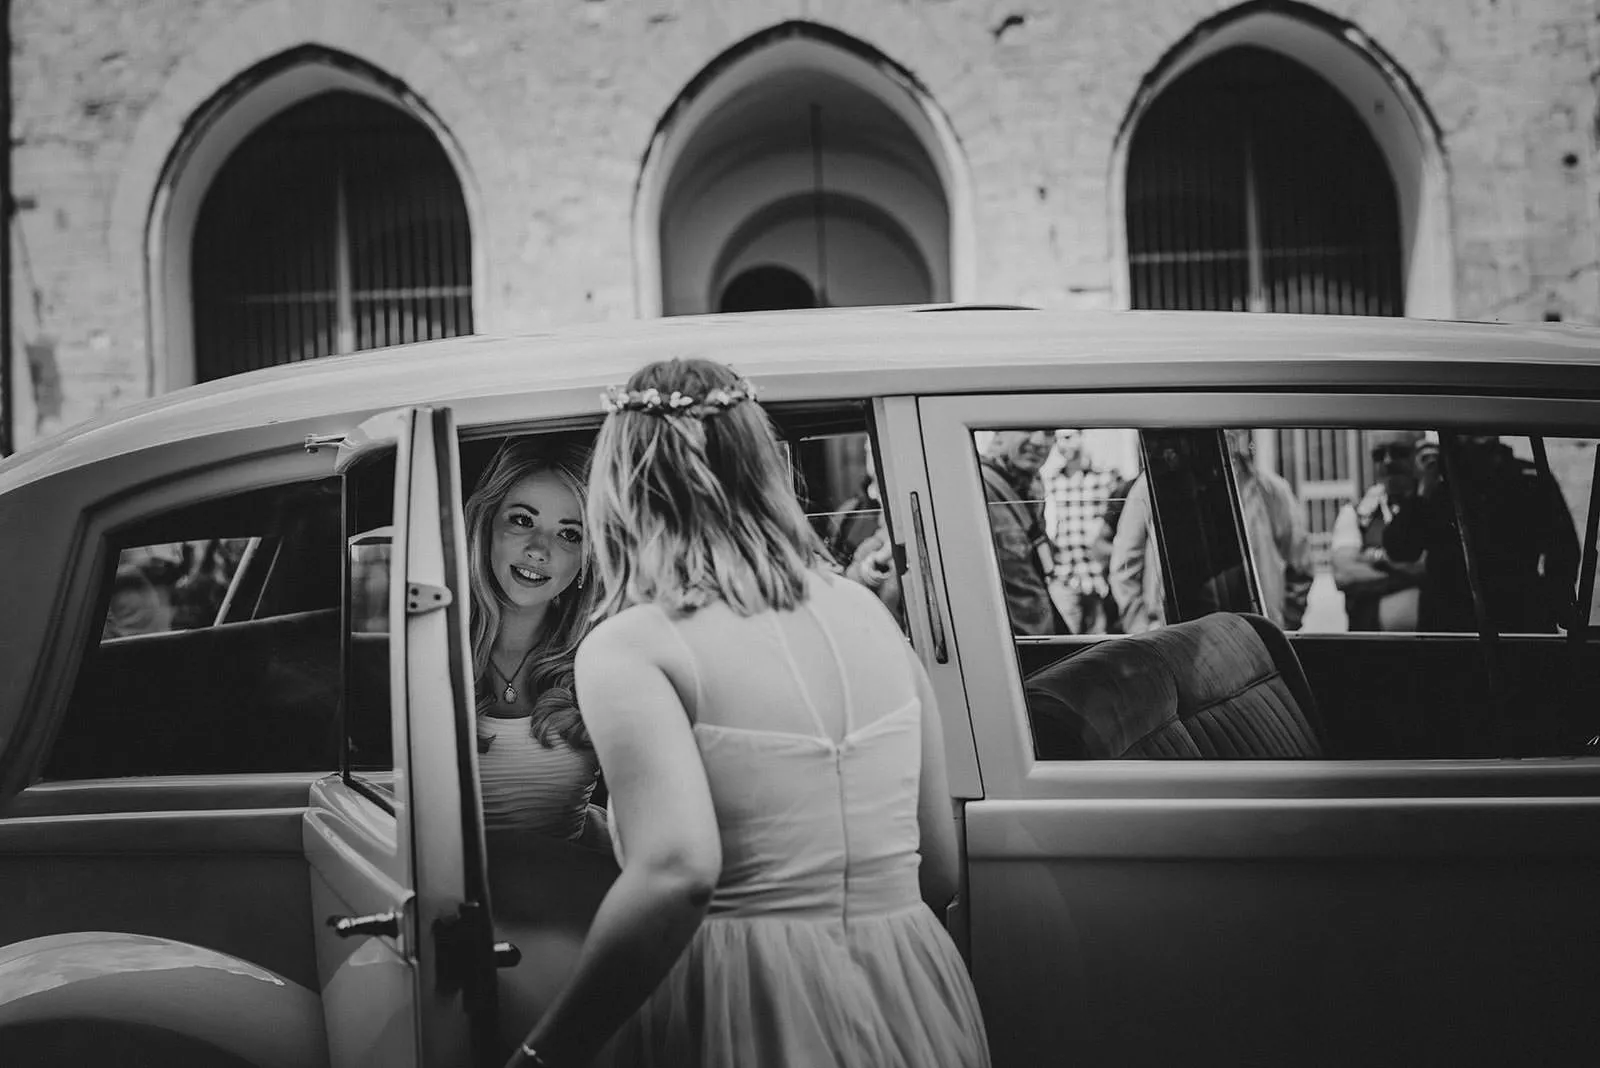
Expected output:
{"points": [[335, 228]]}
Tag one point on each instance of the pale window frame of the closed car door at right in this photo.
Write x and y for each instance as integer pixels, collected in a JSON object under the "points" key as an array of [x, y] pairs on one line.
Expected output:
{"points": [[985, 644]]}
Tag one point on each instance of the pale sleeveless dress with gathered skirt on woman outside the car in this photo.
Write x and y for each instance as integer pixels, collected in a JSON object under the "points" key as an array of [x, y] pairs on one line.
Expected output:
{"points": [[817, 949]]}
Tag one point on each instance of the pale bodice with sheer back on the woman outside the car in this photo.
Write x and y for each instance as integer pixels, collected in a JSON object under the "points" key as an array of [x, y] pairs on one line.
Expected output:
{"points": [[817, 813]]}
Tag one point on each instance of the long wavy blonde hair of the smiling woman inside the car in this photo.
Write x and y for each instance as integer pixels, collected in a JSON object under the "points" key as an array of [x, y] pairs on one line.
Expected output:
{"points": [[551, 675]]}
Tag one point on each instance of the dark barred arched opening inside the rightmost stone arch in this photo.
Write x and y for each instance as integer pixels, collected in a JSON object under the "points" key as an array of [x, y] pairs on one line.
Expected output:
{"points": [[1255, 186]]}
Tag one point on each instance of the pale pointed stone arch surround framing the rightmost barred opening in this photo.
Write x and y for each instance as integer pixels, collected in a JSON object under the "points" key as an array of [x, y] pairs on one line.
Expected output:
{"points": [[1382, 95]]}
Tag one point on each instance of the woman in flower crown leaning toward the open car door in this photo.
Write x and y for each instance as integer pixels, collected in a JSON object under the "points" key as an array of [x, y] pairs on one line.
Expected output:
{"points": [[783, 816]]}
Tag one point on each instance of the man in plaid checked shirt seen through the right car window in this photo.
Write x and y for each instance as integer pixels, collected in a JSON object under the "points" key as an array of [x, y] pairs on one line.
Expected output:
{"points": [[1076, 498]]}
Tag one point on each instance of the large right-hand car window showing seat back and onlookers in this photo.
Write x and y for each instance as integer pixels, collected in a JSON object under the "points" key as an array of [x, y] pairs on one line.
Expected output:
{"points": [[1345, 592]]}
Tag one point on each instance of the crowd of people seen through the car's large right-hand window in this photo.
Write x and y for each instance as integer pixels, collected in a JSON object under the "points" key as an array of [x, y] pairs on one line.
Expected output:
{"points": [[1078, 546]]}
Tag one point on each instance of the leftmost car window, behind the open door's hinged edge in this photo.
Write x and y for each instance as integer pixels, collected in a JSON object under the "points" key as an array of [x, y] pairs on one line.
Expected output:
{"points": [[218, 648]]}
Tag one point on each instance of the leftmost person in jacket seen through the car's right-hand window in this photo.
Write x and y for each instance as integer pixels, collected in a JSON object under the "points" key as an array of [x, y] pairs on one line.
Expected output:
{"points": [[1017, 520]]}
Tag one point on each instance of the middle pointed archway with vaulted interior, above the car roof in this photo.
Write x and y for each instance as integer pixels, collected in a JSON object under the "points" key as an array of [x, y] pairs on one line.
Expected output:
{"points": [[889, 153]]}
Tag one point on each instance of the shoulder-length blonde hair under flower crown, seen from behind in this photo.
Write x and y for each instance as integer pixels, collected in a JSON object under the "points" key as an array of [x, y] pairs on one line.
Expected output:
{"points": [[690, 509]]}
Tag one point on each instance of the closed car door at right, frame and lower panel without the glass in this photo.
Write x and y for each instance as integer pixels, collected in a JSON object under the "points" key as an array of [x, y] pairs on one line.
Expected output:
{"points": [[1260, 912]]}
